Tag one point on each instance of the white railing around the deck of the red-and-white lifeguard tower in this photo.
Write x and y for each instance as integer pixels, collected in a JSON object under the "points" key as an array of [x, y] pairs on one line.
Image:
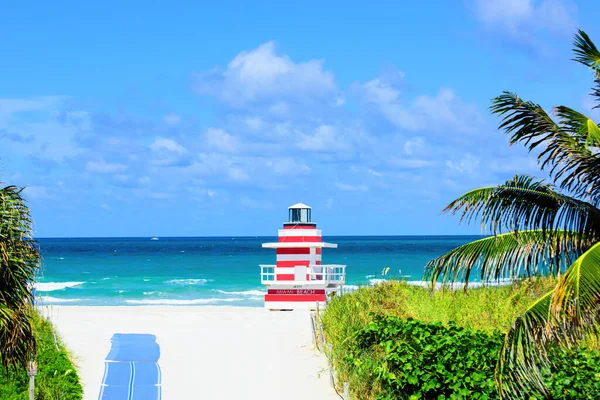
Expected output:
{"points": [[330, 274]]}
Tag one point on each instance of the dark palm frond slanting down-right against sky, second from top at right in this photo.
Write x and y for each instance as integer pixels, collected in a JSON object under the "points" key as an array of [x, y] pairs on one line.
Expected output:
{"points": [[571, 163]]}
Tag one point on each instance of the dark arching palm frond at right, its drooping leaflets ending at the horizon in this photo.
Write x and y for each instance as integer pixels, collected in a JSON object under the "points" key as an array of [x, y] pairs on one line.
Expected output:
{"points": [[526, 204]]}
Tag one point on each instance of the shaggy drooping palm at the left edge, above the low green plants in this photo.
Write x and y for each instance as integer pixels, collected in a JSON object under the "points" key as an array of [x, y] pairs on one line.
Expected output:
{"points": [[19, 262]]}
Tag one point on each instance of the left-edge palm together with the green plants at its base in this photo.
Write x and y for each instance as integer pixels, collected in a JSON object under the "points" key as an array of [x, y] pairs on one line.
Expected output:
{"points": [[24, 334]]}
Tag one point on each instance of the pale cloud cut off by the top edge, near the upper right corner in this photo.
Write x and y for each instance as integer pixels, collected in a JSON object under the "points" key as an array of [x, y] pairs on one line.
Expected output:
{"points": [[519, 18]]}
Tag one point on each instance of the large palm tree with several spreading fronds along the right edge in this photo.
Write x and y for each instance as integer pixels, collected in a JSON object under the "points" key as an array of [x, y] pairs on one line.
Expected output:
{"points": [[539, 228]]}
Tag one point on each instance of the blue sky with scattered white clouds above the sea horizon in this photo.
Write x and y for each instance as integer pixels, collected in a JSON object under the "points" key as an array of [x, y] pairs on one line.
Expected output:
{"points": [[211, 118]]}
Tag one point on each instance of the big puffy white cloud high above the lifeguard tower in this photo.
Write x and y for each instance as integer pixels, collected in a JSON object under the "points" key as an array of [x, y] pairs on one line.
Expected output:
{"points": [[263, 75]]}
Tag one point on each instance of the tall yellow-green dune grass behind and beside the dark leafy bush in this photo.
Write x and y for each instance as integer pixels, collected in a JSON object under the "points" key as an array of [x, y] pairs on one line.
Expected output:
{"points": [[488, 309]]}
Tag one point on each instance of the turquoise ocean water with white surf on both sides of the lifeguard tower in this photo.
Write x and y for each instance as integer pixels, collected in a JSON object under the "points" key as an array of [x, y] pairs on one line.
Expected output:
{"points": [[207, 271]]}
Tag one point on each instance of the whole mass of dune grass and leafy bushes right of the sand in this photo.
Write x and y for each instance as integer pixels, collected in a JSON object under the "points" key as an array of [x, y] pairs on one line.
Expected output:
{"points": [[396, 341]]}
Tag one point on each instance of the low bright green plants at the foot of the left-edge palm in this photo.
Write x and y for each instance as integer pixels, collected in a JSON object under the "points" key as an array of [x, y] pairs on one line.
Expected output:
{"points": [[56, 379]]}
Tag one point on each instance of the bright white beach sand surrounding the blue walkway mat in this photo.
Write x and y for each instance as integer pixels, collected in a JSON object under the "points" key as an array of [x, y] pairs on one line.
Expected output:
{"points": [[205, 352]]}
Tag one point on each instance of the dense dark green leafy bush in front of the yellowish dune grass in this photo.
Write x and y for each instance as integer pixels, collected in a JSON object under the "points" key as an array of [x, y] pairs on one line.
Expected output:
{"points": [[411, 359]]}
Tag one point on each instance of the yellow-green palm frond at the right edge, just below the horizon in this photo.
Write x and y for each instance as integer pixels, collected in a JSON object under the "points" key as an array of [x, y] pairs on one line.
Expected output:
{"points": [[576, 299]]}
